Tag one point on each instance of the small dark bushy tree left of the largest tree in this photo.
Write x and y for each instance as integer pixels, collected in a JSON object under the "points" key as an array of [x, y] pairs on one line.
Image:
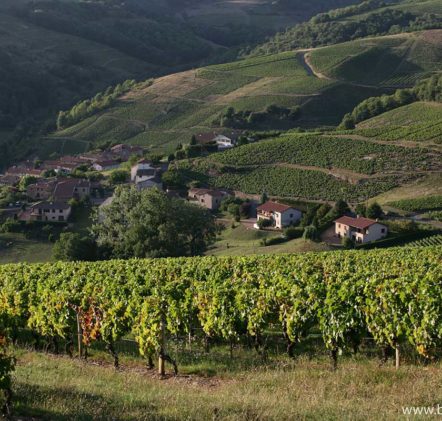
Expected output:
{"points": [[72, 246]]}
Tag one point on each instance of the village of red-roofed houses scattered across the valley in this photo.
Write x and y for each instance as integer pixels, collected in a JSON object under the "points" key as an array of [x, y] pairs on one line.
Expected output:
{"points": [[48, 192]]}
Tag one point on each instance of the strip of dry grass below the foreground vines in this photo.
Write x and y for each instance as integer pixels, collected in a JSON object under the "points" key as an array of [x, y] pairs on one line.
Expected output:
{"points": [[58, 388]]}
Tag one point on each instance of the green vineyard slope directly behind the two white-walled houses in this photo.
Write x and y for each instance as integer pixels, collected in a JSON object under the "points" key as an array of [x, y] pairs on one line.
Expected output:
{"points": [[318, 167]]}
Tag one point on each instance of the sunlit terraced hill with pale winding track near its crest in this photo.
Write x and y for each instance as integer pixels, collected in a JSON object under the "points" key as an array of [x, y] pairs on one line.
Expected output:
{"points": [[179, 105]]}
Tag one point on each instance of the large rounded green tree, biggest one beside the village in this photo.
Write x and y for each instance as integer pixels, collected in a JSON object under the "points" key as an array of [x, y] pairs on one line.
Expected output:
{"points": [[148, 223]]}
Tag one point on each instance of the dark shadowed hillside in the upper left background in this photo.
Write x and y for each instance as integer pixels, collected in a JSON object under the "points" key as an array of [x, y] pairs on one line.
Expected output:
{"points": [[76, 49]]}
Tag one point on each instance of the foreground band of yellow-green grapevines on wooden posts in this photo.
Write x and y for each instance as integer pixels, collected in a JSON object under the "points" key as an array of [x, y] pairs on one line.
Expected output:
{"points": [[393, 295]]}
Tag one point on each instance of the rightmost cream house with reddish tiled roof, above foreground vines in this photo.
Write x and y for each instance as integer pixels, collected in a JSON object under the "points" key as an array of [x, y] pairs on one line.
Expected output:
{"points": [[360, 230]]}
